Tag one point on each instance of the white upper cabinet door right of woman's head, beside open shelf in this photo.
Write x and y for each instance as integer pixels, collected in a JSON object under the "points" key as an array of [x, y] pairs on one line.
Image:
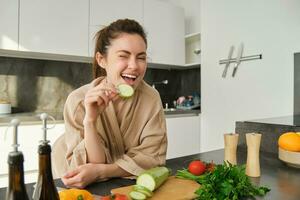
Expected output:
{"points": [[164, 24]]}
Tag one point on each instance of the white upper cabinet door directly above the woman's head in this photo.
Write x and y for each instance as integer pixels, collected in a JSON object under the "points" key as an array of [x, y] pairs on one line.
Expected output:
{"points": [[103, 12]]}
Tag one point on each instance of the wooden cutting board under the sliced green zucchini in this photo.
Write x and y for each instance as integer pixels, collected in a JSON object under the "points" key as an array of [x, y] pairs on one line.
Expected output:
{"points": [[174, 188]]}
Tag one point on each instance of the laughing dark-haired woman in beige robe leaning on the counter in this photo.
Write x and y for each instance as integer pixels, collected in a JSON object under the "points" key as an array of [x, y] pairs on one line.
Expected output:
{"points": [[106, 135]]}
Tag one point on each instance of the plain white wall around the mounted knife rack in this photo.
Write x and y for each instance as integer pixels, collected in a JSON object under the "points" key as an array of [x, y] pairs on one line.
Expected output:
{"points": [[261, 88]]}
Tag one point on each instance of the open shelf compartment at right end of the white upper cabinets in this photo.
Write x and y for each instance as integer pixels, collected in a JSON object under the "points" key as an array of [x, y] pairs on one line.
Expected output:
{"points": [[192, 49]]}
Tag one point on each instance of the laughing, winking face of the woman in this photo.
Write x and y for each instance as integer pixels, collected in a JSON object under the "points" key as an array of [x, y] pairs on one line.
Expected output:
{"points": [[125, 61]]}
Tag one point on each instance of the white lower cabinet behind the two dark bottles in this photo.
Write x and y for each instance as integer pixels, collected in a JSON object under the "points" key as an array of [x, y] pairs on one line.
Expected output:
{"points": [[28, 138]]}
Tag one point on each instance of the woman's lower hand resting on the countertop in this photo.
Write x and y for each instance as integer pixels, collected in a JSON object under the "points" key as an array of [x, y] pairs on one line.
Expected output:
{"points": [[83, 175]]}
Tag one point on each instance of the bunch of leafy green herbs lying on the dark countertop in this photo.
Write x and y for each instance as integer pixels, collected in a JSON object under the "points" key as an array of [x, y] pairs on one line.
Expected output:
{"points": [[225, 182]]}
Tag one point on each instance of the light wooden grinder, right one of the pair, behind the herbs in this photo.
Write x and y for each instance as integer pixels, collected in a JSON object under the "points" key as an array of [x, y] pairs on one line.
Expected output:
{"points": [[253, 145]]}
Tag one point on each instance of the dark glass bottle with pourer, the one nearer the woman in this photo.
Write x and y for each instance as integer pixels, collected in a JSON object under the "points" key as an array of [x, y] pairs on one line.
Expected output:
{"points": [[45, 188]]}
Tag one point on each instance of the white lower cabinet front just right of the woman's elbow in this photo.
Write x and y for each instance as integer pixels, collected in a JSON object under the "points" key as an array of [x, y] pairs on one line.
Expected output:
{"points": [[183, 136]]}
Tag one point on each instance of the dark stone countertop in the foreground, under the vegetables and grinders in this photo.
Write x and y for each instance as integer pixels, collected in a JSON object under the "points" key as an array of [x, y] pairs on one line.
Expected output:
{"points": [[283, 180]]}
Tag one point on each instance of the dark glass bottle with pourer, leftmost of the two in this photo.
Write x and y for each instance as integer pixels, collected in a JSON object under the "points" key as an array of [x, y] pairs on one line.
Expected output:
{"points": [[16, 187]]}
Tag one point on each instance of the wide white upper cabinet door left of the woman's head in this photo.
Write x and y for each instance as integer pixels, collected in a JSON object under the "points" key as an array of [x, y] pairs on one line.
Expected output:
{"points": [[54, 26]]}
